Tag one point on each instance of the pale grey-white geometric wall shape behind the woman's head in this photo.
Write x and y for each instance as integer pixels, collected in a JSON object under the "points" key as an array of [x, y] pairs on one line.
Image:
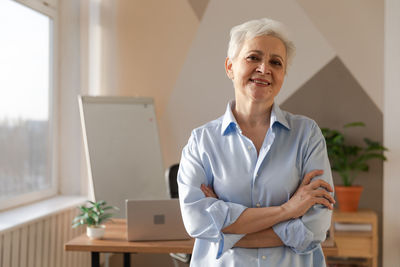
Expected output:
{"points": [[202, 89]]}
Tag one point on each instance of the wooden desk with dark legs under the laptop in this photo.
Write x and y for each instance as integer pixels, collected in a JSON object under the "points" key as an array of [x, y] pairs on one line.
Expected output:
{"points": [[115, 241]]}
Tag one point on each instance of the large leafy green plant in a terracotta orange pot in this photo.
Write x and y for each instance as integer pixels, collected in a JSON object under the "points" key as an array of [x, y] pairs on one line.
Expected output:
{"points": [[348, 161]]}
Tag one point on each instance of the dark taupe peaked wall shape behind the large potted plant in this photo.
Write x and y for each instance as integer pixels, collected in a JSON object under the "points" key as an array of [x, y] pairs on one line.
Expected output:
{"points": [[333, 97]]}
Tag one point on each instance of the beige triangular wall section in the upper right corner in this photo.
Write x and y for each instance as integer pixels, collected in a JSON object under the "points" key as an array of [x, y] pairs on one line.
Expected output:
{"points": [[355, 30]]}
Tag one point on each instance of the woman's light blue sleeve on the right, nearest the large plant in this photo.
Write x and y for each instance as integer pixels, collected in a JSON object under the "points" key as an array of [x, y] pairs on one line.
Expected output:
{"points": [[303, 235]]}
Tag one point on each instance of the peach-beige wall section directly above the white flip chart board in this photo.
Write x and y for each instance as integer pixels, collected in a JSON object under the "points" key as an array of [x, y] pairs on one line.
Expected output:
{"points": [[153, 38]]}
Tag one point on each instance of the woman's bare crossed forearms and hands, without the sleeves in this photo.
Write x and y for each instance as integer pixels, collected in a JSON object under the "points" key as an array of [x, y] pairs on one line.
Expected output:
{"points": [[256, 223]]}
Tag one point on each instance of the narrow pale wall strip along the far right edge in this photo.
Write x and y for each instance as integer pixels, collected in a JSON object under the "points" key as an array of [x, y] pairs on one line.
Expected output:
{"points": [[391, 211]]}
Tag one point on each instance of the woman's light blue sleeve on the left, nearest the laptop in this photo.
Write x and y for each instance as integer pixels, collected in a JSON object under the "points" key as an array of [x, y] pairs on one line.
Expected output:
{"points": [[204, 217]]}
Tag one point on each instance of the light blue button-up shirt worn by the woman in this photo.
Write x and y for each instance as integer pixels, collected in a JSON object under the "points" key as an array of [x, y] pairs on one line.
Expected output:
{"points": [[219, 154]]}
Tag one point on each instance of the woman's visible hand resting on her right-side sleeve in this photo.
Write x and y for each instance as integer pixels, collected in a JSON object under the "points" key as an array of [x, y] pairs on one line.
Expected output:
{"points": [[308, 194]]}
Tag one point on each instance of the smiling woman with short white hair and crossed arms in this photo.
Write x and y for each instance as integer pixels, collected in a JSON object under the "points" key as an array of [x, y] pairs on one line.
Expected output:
{"points": [[254, 185]]}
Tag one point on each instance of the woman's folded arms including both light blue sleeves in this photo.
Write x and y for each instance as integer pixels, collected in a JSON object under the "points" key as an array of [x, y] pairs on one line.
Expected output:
{"points": [[229, 224]]}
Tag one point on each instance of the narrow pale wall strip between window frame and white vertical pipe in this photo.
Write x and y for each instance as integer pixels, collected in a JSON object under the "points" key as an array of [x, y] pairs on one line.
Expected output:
{"points": [[69, 87]]}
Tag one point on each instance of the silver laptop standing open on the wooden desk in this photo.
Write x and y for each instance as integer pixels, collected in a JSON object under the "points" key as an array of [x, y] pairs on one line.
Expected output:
{"points": [[154, 220]]}
